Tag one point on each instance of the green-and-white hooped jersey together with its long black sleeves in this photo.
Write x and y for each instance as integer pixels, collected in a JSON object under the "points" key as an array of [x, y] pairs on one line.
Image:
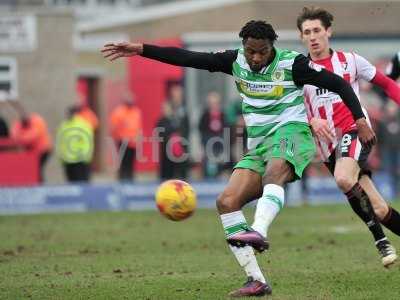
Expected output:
{"points": [[272, 97]]}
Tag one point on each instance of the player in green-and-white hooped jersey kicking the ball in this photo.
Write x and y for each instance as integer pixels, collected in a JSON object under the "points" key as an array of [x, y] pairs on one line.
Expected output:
{"points": [[270, 81]]}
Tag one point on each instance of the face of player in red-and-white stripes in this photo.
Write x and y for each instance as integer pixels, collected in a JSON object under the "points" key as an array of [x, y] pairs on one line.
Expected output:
{"points": [[315, 37]]}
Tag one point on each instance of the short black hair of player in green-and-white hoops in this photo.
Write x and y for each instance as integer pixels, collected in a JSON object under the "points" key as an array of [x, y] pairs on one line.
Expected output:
{"points": [[259, 30]]}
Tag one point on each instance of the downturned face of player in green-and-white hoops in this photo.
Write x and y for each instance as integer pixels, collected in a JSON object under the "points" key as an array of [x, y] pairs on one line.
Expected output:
{"points": [[257, 53]]}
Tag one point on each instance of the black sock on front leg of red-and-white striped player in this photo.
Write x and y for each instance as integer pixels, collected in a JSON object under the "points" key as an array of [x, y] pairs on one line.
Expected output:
{"points": [[361, 205]]}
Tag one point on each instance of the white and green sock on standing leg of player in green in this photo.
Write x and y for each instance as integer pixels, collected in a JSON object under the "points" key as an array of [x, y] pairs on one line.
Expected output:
{"points": [[235, 223]]}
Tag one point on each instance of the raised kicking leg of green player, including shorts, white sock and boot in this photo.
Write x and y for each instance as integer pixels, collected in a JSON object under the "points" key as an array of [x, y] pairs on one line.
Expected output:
{"points": [[288, 151]]}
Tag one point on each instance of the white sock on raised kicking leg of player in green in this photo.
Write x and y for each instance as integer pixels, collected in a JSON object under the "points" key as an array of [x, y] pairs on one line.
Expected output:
{"points": [[268, 206]]}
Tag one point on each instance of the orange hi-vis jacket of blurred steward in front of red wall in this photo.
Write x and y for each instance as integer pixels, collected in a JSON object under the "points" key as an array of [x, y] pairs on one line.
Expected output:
{"points": [[126, 124]]}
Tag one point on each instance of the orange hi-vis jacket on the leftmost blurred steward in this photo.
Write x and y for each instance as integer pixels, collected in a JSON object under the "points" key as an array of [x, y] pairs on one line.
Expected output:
{"points": [[35, 136]]}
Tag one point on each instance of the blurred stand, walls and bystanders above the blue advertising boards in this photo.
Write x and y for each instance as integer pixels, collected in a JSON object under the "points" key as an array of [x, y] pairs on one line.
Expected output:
{"points": [[68, 115]]}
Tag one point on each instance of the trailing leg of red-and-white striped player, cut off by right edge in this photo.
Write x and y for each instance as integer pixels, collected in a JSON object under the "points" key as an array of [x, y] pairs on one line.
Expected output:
{"points": [[387, 215]]}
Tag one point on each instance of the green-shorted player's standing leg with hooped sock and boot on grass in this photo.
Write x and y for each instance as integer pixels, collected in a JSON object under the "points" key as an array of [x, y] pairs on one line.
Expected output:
{"points": [[243, 186]]}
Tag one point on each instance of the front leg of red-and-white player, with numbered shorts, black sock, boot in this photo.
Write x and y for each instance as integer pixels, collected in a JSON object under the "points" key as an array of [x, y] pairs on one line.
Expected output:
{"points": [[346, 171]]}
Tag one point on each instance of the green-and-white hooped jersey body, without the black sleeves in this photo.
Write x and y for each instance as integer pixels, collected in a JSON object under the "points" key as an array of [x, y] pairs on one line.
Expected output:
{"points": [[270, 96]]}
